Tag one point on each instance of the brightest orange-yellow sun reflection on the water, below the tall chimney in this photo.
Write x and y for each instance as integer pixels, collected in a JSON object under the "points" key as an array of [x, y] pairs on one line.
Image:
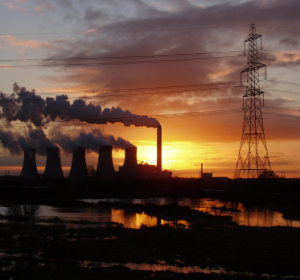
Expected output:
{"points": [[132, 220]]}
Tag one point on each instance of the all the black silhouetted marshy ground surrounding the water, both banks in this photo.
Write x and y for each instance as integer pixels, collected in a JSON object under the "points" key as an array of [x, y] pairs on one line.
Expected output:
{"points": [[31, 249]]}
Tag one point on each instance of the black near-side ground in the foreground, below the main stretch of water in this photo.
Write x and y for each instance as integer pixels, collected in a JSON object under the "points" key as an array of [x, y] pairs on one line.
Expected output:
{"points": [[32, 251]]}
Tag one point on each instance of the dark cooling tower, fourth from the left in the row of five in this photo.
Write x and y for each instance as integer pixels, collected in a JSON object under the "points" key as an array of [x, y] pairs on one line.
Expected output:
{"points": [[105, 167]]}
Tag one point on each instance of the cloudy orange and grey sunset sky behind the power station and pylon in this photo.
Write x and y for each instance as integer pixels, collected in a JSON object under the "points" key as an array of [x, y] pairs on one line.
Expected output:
{"points": [[178, 61]]}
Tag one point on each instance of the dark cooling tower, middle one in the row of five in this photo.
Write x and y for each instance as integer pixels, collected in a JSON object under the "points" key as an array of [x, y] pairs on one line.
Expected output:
{"points": [[78, 168]]}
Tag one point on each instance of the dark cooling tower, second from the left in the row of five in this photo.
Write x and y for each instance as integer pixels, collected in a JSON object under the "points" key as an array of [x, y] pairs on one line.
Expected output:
{"points": [[53, 165]]}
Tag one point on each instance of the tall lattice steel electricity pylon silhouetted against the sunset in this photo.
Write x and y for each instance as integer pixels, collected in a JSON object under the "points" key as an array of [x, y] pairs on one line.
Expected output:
{"points": [[253, 158]]}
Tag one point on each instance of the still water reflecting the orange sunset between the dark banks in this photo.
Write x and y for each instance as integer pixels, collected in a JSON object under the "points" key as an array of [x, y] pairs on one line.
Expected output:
{"points": [[242, 215]]}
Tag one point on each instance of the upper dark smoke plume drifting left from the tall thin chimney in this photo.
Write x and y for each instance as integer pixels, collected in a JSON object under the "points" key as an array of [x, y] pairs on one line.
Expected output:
{"points": [[24, 105]]}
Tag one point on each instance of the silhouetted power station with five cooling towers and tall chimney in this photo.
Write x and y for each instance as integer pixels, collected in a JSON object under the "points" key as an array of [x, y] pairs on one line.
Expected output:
{"points": [[105, 168]]}
